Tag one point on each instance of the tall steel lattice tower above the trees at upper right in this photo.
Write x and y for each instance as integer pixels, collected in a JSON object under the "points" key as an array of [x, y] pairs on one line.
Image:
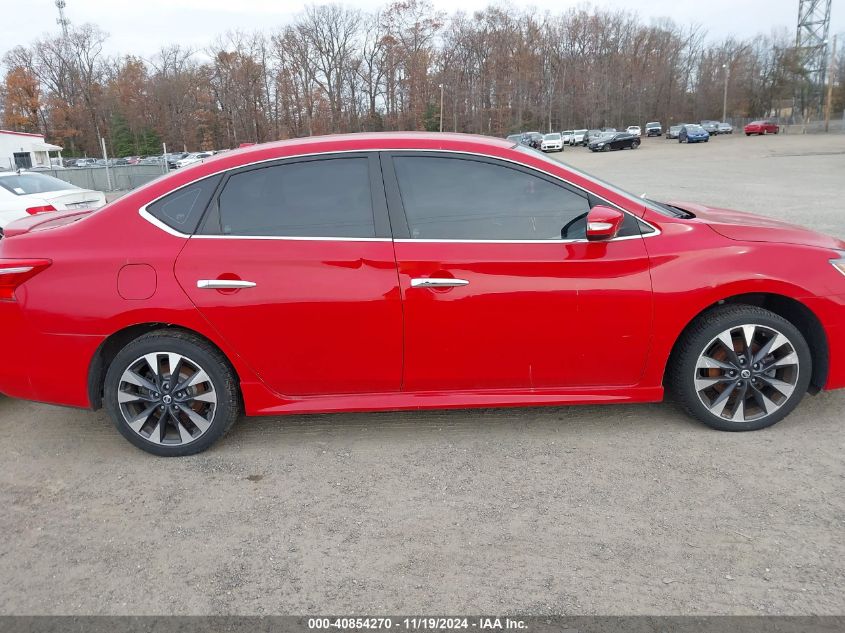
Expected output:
{"points": [[811, 46]]}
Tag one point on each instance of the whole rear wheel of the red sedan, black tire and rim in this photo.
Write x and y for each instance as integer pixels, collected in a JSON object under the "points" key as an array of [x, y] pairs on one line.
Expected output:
{"points": [[206, 407]]}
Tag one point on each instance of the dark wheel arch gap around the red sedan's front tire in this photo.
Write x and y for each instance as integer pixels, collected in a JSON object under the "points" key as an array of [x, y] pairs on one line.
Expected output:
{"points": [[790, 309]]}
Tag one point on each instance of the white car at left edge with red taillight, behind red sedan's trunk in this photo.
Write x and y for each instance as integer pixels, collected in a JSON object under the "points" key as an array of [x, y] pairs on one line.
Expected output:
{"points": [[27, 193]]}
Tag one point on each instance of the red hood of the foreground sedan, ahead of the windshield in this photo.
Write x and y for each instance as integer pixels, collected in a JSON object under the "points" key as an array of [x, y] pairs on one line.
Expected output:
{"points": [[748, 227]]}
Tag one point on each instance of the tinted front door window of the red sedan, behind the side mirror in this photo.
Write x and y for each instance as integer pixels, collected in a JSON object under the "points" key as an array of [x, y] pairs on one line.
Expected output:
{"points": [[452, 198]]}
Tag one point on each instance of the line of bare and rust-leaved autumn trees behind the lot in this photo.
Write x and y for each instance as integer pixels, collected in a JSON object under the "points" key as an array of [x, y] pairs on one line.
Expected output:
{"points": [[337, 69]]}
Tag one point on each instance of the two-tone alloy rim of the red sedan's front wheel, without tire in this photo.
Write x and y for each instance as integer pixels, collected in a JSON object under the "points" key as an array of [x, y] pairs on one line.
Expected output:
{"points": [[747, 373]]}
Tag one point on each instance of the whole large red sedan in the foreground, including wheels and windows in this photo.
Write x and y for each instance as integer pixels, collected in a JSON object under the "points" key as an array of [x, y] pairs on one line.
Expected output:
{"points": [[409, 271]]}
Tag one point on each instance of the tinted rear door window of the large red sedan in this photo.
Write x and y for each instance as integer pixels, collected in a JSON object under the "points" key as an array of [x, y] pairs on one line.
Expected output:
{"points": [[320, 198]]}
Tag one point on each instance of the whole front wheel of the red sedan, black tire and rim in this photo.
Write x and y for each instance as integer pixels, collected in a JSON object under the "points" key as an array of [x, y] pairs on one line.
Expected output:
{"points": [[699, 372]]}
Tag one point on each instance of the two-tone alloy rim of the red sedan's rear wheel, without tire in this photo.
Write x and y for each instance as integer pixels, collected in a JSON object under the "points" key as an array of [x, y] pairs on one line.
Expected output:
{"points": [[167, 398]]}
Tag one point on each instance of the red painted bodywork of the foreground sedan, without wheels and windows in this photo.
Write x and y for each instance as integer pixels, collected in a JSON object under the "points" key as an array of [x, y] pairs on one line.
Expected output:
{"points": [[336, 324]]}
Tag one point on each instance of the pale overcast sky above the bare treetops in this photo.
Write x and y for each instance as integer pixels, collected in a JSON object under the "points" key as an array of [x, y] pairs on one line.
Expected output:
{"points": [[140, 27]]}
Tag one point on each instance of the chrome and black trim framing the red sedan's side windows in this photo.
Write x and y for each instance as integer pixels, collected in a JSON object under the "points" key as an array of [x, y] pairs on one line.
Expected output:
{"points": [[377, 152]]}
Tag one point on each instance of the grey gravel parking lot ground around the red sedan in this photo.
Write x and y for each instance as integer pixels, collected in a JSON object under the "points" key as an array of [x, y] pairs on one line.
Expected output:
{"points": [[627, 509]]}
